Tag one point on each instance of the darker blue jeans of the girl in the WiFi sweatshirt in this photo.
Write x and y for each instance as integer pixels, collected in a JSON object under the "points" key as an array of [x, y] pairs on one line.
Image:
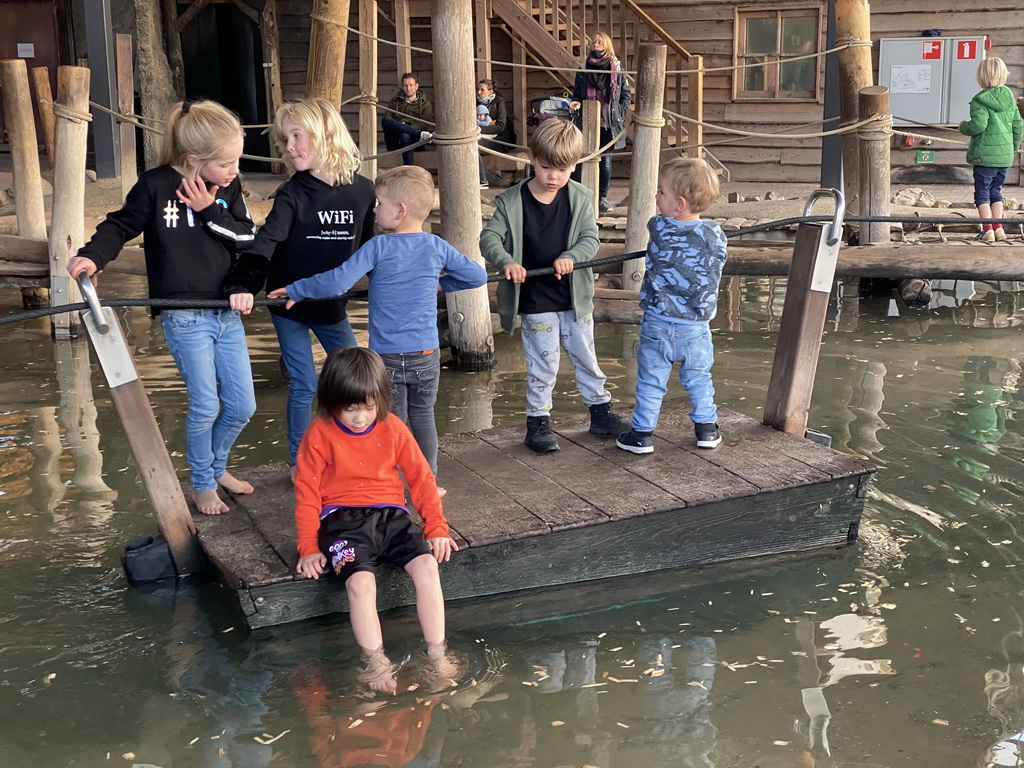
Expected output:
{"points": [[297, 352]]}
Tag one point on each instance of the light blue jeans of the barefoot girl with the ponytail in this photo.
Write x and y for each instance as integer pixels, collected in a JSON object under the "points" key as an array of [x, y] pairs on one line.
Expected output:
{"points": [[209, 349]]}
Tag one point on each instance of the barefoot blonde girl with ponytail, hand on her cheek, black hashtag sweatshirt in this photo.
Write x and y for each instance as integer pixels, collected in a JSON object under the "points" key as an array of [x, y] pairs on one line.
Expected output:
{"points": [[194, 219]]}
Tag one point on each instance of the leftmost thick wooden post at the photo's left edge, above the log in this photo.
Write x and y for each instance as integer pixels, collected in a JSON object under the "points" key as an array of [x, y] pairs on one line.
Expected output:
{"points": [[21, 126]]}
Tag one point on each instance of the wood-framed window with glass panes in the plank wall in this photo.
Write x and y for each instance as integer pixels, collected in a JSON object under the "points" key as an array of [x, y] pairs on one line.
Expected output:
{"points": [[766, 41]]}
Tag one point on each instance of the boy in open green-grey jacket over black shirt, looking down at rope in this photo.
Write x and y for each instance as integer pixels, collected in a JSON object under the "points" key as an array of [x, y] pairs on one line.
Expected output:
{"points": [[548, 222]]}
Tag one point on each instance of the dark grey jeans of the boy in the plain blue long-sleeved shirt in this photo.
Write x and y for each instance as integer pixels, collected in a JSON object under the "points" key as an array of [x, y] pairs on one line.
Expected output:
{"points": [[415, 379]]}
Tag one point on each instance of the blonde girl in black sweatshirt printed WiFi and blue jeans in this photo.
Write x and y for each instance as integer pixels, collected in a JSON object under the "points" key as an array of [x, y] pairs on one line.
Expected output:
{"points": [[320, 218]]}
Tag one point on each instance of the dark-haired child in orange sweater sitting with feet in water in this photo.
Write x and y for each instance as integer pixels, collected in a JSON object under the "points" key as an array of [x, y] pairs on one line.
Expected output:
{"points": [[351, 505]]}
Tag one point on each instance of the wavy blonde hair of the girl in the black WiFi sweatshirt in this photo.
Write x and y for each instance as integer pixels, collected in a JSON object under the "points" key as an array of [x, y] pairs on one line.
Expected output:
{"points": [[339, 157]]}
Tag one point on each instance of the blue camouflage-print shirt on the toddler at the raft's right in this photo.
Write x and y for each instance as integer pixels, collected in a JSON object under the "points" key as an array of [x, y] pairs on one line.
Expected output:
{"points": [[685, 268]]}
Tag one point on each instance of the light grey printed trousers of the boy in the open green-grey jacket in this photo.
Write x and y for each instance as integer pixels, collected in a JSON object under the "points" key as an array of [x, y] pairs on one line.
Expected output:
{"points": [[542, 336]]}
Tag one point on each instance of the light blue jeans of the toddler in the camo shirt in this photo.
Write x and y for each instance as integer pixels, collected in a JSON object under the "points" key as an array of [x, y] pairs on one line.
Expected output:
{"points": [[662, 345]]}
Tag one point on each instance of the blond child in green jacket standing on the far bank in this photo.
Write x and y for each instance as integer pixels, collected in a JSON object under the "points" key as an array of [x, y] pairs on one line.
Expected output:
{"points": [[995, 130]]}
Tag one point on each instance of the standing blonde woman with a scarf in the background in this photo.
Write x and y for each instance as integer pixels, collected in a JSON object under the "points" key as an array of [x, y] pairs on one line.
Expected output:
{"points": [[604, 81]]}
